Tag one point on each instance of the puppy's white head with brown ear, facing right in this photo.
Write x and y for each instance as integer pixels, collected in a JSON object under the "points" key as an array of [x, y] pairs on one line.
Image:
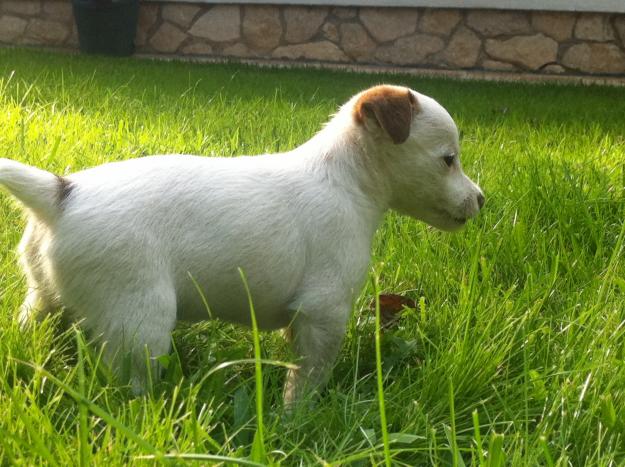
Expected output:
{"points": [[415, 141]]}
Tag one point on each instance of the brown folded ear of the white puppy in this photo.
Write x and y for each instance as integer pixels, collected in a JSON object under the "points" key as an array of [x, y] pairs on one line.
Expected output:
{"points": [[390, 107]]}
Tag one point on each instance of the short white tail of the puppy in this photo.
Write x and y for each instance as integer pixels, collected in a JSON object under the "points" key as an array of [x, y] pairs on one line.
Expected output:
{"points": [[40, 191]]}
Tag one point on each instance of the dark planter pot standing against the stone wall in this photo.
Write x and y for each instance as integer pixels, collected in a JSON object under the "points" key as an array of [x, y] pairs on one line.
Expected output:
{"points": [[105, 26]]}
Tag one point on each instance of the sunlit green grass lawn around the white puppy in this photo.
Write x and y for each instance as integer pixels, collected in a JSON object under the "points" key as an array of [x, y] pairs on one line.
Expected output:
{"points": [[513, 357]]}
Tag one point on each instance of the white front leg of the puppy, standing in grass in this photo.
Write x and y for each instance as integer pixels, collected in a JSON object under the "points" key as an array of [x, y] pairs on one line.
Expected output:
{"points": [[316, 340]]}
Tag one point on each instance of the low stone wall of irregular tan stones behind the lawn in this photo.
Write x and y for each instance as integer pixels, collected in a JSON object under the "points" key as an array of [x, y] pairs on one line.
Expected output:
{"points": [[542, 42]]}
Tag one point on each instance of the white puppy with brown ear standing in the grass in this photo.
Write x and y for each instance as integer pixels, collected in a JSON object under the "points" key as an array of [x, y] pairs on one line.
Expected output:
{"points": [[125, 246]]}
